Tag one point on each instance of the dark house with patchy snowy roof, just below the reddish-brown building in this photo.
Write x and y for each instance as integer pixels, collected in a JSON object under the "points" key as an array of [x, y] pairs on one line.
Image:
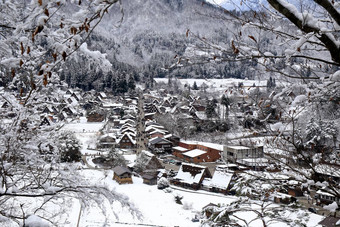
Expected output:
{"points": [[191, 176]]}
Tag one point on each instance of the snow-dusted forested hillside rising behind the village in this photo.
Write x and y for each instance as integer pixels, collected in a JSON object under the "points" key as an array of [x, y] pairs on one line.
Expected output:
{"points": [[151, 35]]}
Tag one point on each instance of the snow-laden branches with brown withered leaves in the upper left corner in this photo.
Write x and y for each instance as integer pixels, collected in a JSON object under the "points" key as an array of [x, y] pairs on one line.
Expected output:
{"points": [[43, 36]]}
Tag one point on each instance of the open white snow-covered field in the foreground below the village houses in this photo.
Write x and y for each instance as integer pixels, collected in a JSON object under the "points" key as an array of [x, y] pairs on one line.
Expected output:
{"points": [[156, 206]]}
